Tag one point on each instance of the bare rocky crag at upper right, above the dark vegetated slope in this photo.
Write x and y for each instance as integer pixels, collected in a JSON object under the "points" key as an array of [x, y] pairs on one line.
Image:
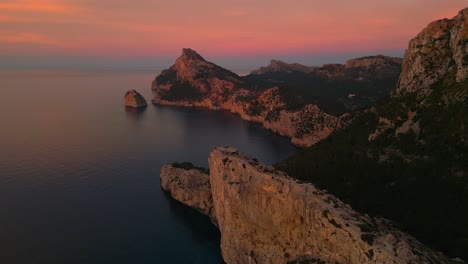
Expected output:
{"points": [[438, 52]]}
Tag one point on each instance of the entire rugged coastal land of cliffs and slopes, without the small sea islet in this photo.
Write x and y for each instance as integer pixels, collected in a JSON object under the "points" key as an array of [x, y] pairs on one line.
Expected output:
{"points": [[403, 159]]}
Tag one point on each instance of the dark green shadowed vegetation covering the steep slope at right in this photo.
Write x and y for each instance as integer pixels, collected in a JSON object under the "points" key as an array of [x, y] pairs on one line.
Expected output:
{"points": [[418, 181]]}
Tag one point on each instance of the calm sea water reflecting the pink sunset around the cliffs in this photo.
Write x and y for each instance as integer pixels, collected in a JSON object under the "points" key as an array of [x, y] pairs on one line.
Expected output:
{"points": [[79, 175]]}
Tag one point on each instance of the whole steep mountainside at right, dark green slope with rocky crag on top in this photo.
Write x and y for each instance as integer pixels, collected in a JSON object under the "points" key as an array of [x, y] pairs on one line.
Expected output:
{"points": [[406, 159]]}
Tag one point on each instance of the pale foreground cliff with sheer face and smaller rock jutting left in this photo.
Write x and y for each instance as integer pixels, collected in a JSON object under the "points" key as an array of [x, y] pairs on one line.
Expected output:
{"points": [[267, 217]]}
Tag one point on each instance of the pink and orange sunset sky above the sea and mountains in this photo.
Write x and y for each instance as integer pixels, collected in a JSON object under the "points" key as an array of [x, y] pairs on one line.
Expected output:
{"points": [[148, 33]]}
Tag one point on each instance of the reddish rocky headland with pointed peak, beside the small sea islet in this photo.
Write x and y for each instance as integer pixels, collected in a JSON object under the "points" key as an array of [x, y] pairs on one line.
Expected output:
{"points": [[192, 81]]}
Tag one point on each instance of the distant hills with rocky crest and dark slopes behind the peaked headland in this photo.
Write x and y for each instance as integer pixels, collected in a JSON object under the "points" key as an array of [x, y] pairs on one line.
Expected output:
{"points": [[335, 88]]}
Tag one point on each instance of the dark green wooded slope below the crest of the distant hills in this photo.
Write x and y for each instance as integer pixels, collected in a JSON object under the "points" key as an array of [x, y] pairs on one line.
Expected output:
{"points": [[329, 93]]}
